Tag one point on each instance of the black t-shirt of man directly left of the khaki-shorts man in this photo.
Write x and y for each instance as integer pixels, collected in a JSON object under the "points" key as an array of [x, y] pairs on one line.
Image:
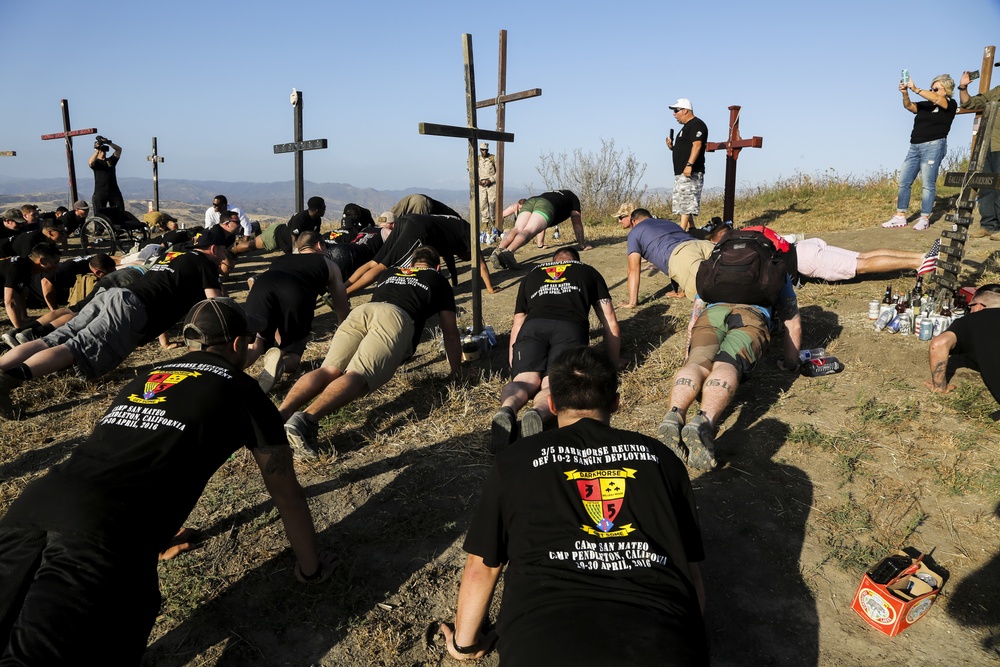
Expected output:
{"points": [[288, 308]]}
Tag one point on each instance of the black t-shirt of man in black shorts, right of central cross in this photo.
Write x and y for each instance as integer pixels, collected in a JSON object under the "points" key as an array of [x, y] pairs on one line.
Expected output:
{"points": [[561, 291]]}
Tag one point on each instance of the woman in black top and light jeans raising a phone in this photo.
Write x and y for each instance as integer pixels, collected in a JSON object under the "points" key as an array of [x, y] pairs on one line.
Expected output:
{"points": [[928, 146]]}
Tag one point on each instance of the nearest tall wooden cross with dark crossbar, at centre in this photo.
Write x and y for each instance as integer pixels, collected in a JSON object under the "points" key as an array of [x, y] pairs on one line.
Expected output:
{"points": [[473, 134]]}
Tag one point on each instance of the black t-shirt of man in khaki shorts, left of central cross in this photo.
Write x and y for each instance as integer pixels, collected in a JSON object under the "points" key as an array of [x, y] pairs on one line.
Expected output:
{"points": [[421, 292]]}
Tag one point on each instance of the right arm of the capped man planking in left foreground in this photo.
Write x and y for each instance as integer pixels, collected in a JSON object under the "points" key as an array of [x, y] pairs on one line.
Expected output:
{"points": [[275, 463]]}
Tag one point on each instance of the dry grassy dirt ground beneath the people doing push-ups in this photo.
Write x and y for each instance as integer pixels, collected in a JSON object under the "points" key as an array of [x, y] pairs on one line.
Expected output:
{"points": [[818, 479]]}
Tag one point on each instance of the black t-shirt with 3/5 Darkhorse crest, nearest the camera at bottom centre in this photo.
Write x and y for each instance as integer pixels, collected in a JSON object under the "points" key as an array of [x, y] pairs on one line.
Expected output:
{"points": [[590, 518]]}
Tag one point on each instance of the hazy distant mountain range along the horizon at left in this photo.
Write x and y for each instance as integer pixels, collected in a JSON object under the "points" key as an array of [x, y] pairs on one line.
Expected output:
{"points": [[257, 199]]}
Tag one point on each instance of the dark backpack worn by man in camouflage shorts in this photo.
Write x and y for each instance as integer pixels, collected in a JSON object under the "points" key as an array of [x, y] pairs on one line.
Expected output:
{"points": [[746, 268]]}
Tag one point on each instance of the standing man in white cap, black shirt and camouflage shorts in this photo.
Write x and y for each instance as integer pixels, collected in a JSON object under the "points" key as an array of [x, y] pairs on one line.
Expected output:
{"points": [[689, 162]]}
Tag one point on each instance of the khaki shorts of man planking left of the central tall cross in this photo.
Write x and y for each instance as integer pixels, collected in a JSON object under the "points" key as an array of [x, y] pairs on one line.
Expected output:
{"points": [[373, 341]]}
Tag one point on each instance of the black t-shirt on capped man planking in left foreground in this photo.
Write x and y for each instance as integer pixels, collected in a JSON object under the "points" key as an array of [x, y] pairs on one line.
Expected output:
{"points": [[139, 474]]}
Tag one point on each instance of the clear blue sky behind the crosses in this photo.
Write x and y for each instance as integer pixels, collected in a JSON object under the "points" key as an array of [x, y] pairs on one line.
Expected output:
{"points": [[211, 80]]}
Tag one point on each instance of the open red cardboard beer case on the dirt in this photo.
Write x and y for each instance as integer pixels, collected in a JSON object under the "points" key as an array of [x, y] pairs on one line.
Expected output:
{"points": [[893, 606]]}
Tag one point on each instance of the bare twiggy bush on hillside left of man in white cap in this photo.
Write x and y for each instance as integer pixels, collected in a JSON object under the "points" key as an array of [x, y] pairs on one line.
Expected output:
{"points": [[602, 179]]}
